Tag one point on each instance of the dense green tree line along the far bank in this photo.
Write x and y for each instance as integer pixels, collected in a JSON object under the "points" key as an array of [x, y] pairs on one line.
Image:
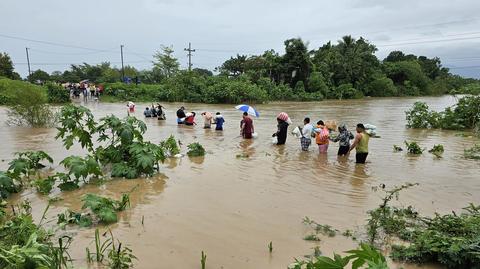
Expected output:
{"points": [[344, 70]]}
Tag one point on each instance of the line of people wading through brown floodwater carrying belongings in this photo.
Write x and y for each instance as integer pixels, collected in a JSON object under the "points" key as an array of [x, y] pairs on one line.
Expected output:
{"points": [[322, 133]]}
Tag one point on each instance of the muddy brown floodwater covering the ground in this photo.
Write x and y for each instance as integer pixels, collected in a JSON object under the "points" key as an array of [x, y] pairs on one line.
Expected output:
{"points": [[231, 207]]}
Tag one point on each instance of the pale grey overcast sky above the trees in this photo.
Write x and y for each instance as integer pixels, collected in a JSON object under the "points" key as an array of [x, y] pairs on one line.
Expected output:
{"points": [[92, 30]]}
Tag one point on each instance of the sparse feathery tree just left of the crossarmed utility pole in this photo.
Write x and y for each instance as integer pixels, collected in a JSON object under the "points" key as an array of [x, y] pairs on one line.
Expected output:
{"points": [[165, 64]]}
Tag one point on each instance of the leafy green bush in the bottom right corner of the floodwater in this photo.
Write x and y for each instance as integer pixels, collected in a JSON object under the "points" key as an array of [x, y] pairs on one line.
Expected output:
{"points": [[450, 239]]}
